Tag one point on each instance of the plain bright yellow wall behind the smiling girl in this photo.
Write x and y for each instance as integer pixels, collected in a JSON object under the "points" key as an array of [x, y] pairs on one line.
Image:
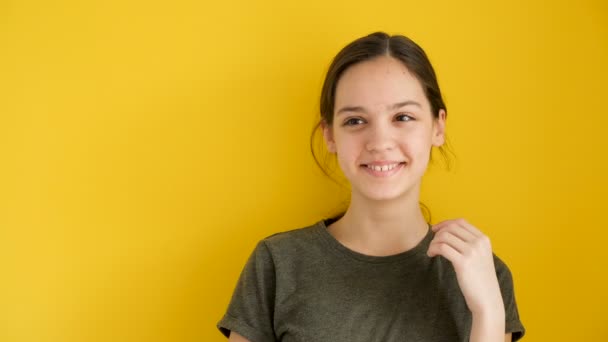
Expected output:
{"points": [[146, 147]]}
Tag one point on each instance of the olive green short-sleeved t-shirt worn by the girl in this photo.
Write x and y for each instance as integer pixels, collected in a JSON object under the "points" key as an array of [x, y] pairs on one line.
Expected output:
{"points": [[305, 286]]}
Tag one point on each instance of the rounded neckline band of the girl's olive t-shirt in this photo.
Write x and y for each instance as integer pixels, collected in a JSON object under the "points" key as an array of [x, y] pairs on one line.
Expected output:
{"points": [[419, 249]]}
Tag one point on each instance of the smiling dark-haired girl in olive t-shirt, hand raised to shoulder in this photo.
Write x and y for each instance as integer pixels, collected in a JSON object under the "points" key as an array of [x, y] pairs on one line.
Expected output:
{"points": [[378, 272]]}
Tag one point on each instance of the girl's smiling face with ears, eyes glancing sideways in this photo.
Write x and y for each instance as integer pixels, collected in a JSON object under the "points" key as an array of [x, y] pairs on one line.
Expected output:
{"points": [[383, 129]]}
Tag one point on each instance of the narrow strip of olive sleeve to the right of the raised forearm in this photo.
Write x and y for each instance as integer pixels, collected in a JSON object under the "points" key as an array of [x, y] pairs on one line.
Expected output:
{"points": [[505, 280]]}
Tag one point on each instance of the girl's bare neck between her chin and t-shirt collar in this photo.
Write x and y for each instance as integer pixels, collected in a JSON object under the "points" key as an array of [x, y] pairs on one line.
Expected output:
{"points": [[381, 227]]}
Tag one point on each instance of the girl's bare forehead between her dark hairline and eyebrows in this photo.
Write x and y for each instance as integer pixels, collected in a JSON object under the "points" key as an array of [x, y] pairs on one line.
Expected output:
{"points": [[376, 83]]}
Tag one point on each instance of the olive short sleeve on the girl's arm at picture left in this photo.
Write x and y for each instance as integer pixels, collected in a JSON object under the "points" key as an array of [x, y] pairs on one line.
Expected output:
{"points": [[251, 309]]}
